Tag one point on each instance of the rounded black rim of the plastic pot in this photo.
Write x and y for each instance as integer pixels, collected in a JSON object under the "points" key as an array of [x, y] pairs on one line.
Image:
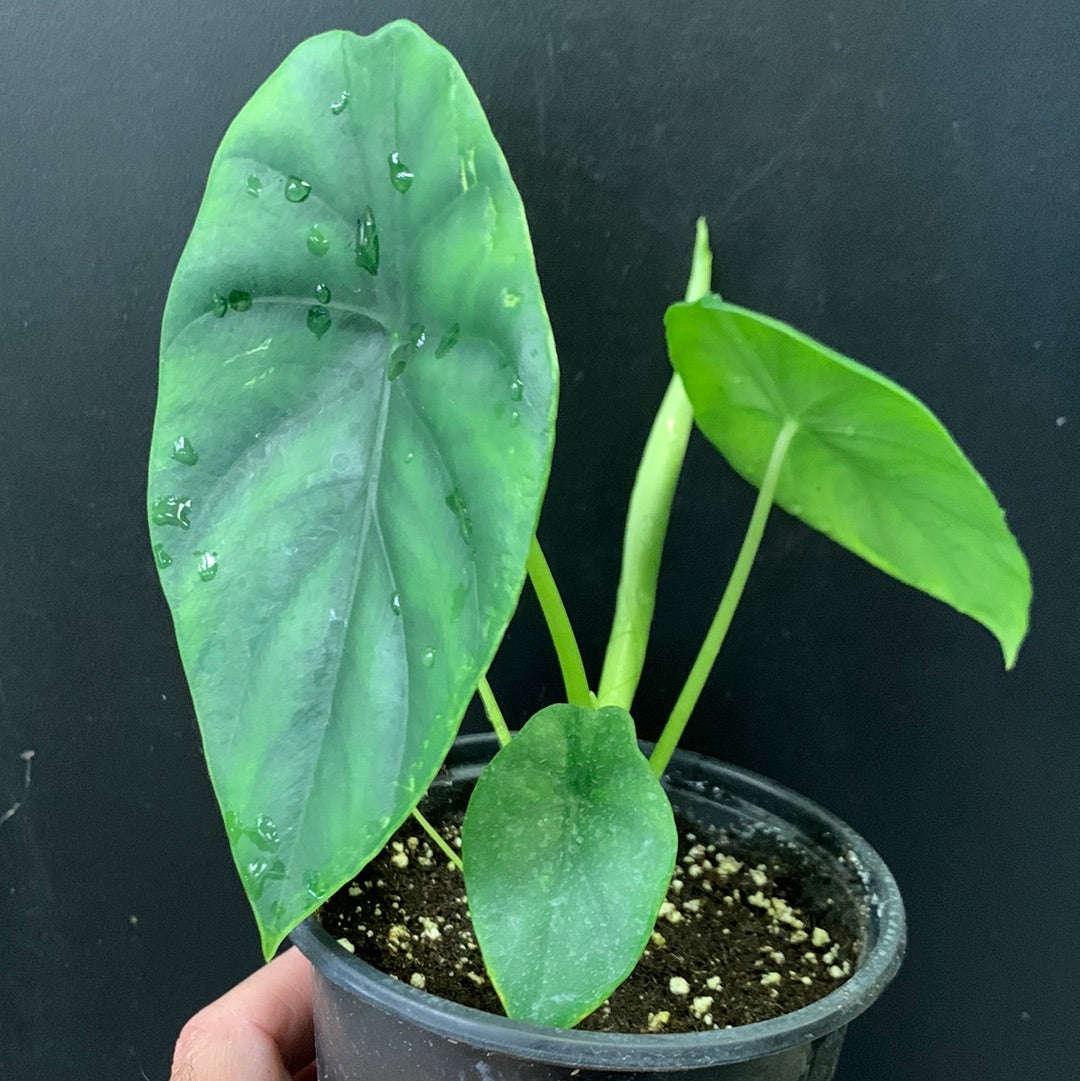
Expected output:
{"points": [[882, 958]]}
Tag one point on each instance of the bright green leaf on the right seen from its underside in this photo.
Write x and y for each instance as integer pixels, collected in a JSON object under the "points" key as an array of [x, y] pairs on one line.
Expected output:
{"points": [[869, 465]]}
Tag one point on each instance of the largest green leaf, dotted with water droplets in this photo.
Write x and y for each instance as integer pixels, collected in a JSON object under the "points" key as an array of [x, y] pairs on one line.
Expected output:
{"points": [[354, 434]]}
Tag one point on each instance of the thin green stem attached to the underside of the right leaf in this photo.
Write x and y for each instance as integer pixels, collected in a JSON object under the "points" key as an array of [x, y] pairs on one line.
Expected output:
{"points": [[708, 655]]}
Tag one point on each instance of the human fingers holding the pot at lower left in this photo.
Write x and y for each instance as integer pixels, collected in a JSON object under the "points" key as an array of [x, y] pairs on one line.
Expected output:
{"points": [[261, 1031]]}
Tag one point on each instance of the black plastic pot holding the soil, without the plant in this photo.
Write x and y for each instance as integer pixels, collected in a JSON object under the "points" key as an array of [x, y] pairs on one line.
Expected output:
{"points": [[371, 1027]]}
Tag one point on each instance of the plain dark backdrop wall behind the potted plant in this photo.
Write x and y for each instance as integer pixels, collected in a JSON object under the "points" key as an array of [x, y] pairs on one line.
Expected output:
{"points": [[900, 180]]}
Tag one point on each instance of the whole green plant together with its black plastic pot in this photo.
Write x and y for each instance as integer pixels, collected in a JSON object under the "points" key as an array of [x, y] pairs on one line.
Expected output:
{"points": [[355, 426]]}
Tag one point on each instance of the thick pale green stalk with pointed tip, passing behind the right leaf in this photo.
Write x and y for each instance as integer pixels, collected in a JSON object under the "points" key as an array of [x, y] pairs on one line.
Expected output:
{"points": [[648, 516]]}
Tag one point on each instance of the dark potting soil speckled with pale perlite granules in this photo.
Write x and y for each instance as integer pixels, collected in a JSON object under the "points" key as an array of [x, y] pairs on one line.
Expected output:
{"points": [[736, 941]]}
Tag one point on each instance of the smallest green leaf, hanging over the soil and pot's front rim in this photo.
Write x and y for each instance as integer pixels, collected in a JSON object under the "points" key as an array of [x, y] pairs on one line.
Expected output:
{"points": [[569, 844]]}
